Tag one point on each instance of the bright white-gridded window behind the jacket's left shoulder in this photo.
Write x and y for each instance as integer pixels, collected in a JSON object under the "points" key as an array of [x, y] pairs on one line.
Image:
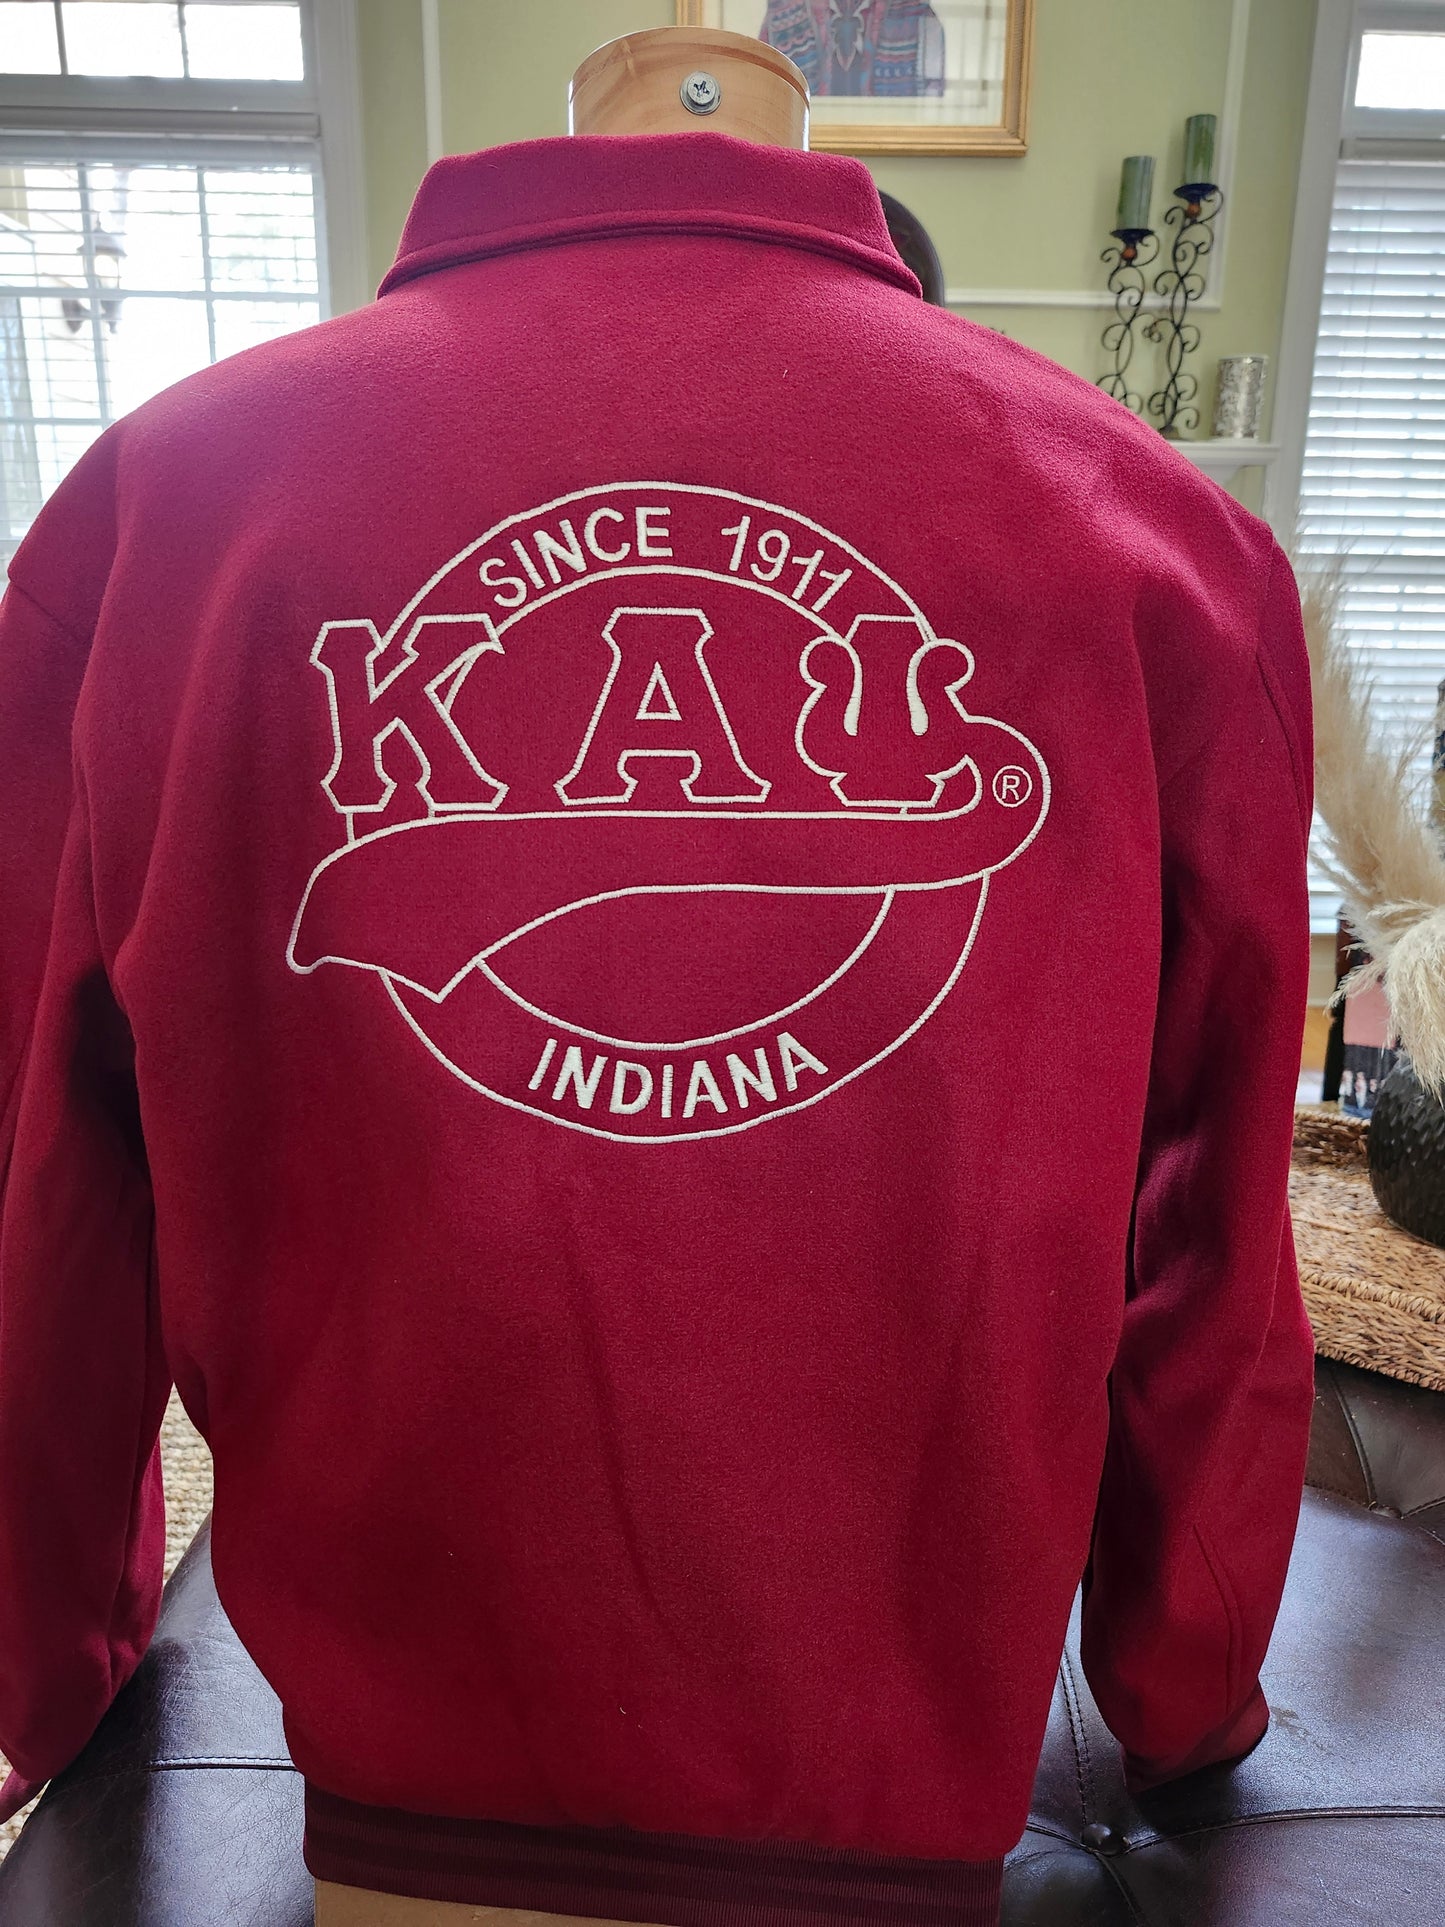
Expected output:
{"points": [[161, 205]]}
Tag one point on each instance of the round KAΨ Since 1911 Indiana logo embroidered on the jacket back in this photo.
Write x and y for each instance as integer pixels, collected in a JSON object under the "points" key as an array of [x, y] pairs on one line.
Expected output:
{"points": [[664, 812]]}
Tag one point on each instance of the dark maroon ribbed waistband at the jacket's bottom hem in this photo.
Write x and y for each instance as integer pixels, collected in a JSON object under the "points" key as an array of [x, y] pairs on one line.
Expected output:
{"points": [[617, 1874]]}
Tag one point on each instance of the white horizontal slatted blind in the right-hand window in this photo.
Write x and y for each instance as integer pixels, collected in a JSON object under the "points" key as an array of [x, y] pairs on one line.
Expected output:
{"points": [[1375, 456]]}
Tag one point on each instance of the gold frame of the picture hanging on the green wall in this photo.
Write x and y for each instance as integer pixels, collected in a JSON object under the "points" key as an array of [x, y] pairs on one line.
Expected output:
{"points": [[901, 126]]}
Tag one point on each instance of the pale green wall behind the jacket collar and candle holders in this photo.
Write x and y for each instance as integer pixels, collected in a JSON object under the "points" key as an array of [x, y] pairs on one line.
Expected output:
{"points": [[1109, 78]]}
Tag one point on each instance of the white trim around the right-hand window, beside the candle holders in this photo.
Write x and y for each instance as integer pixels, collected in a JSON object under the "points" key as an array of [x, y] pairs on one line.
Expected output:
{"points": [[1332, 124]]}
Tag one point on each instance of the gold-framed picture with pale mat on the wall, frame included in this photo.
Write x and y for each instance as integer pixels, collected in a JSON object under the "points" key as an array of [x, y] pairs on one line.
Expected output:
{"points": [[899, 76]]}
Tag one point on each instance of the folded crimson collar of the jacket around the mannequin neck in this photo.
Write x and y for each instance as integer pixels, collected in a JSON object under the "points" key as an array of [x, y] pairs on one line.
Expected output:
{"points": [[540, 194]]}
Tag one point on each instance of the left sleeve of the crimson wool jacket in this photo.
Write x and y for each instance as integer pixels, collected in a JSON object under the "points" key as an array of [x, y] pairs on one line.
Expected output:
{"points": [[82, 1373]]}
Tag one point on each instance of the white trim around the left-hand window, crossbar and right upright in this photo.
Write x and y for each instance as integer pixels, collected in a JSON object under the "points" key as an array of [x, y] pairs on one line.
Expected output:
{"points": [[323, 111]]}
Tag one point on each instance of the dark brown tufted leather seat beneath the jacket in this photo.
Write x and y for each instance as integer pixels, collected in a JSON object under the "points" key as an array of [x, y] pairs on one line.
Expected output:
{"points": [[186, 1812]]}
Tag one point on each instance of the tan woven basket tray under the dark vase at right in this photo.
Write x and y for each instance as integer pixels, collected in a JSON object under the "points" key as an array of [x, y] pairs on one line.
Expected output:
{"points": [[1377, 1296]]}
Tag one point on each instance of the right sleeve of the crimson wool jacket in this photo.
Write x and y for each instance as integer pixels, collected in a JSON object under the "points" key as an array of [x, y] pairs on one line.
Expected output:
{"points": [[1213, 1385]]}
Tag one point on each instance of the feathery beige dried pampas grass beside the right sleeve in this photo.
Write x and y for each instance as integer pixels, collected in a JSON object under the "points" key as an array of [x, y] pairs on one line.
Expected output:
{"points": [[1380, 847]]}
